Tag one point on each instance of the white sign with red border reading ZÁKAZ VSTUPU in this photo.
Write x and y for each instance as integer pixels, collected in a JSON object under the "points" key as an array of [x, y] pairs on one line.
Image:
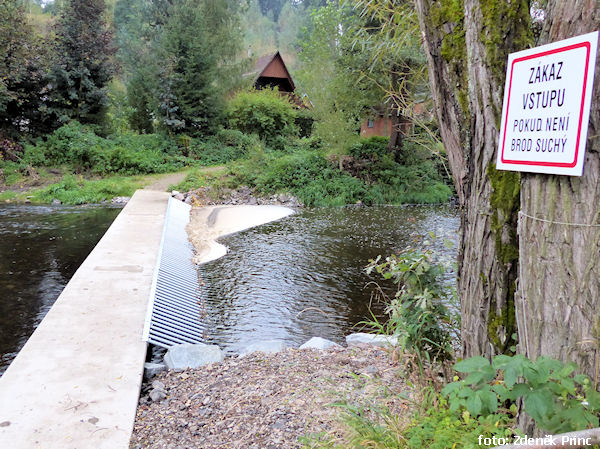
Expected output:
{"points": [[546, 108]]}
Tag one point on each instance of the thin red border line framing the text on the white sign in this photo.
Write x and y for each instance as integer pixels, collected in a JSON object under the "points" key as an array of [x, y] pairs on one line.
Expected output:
{"points": [[585, 44]]}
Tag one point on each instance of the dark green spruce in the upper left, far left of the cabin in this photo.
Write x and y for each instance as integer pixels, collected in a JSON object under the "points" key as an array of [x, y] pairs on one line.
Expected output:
{"points": [[83, 65]]}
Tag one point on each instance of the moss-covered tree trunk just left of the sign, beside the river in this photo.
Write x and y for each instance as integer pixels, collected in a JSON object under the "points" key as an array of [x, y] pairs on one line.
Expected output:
{"points": [[467, 44]]}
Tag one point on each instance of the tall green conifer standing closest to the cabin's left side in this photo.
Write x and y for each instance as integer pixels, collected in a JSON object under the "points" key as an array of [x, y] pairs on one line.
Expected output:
{"points": [[198, 47]]}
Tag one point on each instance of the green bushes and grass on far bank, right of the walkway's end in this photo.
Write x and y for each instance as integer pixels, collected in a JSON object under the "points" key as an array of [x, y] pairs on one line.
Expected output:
{"points": [[316, 180]]}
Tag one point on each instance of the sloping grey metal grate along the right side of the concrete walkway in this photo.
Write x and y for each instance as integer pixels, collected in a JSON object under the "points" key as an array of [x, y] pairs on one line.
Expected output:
{"points": [[174, 310]]}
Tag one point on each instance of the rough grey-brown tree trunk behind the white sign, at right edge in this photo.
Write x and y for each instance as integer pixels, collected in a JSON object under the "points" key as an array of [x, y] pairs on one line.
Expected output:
{"points": [[558, 299]]}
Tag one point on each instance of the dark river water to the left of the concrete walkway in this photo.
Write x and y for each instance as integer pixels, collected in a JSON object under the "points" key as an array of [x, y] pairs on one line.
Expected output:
{"points": [[41, 247]]}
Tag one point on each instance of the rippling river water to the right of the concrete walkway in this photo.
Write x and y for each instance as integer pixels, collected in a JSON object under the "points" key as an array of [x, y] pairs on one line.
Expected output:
{"points": [[304, 275]]}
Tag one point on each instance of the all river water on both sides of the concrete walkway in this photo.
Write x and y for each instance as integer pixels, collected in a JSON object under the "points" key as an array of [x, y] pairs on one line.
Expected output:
{"points": [[291, 279]]}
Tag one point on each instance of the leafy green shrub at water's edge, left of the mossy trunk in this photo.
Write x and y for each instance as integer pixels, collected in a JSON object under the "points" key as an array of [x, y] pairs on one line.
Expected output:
{"points": [[417, 313]]}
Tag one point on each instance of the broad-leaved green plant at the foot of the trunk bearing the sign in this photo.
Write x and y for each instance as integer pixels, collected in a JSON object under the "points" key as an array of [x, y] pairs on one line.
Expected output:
{"points": [[556, 398]]}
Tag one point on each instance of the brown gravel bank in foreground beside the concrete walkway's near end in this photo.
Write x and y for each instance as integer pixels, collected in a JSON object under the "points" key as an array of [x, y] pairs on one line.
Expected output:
{"points": [[267, 401]]}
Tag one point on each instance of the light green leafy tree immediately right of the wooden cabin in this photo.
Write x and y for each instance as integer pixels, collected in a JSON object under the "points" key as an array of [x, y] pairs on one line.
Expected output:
{"points": [[332, 75]]}
